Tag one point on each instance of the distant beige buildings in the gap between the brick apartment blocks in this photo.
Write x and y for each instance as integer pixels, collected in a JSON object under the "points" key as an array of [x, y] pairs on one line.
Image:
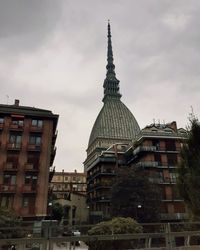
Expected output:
{"points": [[69, 189]]}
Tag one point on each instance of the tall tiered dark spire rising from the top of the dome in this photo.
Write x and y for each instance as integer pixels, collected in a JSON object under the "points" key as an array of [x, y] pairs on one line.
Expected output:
{"points": [[111, 84]]}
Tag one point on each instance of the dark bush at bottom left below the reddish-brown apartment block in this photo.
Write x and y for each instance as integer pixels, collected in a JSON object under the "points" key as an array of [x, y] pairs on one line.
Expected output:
{"points": [[9, 223]]}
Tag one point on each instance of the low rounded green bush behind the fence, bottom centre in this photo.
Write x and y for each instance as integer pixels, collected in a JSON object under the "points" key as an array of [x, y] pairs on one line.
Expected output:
{"points": [[117, 225]]}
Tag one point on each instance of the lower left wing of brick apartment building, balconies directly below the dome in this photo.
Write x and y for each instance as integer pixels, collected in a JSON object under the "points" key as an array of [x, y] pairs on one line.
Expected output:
{"points": [[101, 178]]}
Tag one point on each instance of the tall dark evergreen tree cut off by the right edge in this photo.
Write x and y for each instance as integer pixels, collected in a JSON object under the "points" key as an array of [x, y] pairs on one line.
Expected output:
{"points": [[189, 171]]}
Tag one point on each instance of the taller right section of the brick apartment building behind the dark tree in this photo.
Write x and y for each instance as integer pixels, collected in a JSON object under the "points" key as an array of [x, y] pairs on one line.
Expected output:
{"points": [[157, 151]]}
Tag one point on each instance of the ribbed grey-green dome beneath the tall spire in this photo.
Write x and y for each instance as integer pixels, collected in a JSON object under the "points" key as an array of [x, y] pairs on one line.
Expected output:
{"points": [[115, 121]]}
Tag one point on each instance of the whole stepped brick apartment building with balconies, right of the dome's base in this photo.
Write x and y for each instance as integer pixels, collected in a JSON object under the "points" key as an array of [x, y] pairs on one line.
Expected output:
{"points": [[156, 150]]}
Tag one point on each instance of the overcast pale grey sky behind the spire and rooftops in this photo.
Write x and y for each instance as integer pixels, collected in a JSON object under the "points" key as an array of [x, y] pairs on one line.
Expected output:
{"points": [[53, 56]]}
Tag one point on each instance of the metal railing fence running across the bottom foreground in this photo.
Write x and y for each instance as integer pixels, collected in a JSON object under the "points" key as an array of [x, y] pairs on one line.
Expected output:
{"points": [[155, 237]]}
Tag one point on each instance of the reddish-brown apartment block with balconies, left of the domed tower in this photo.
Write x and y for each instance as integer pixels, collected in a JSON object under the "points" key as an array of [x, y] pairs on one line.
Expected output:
{"points": [[27, 151]]}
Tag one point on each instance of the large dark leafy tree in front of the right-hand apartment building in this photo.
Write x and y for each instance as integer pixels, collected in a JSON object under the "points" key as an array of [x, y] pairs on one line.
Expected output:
{"points": [[133, 195]]}
